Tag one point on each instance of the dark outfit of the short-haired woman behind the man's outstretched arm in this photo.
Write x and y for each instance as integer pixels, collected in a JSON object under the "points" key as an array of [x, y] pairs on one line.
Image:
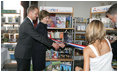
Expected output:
{"points": [[39, 49]]}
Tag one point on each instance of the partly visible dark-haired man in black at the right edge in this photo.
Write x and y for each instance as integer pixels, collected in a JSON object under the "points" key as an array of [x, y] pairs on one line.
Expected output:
{"points": [[112, 15]]}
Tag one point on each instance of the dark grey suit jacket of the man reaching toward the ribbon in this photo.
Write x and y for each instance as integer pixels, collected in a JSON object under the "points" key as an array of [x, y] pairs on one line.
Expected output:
{"points": [[26, 35]]}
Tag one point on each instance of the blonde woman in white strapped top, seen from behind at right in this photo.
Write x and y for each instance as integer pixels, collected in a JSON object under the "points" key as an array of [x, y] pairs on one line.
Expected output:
{"points": [[98, 54]]}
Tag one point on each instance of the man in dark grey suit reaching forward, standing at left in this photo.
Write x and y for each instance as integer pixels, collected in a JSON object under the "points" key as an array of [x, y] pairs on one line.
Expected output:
{"points": [[23, 50]]}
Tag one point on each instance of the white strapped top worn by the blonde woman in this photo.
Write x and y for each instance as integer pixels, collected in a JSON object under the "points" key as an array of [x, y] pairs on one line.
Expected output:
{"points": [[101, 63]]}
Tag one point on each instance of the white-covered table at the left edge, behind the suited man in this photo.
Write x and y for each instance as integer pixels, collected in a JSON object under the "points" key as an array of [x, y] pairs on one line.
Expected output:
{"points": [[5, 58]]}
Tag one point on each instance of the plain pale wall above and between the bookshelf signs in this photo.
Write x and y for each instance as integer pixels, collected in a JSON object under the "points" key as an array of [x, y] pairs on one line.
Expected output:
{"points": [[81, 8]]}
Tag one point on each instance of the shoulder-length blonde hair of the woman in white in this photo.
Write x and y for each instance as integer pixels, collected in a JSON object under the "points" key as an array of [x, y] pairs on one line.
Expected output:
{"points": [[95, 31]]}
